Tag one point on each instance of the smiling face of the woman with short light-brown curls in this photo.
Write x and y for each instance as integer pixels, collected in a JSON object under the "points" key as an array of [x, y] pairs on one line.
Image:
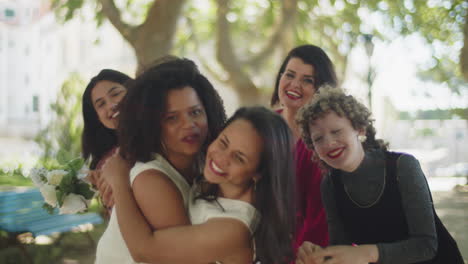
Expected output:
{"points": [[336, 142]]}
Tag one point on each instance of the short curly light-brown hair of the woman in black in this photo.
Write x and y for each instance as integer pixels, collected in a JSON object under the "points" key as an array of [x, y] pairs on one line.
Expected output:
{"points": [[335, 100]]}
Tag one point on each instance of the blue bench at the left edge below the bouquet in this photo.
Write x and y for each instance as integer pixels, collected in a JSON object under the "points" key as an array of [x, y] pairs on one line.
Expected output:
{"points": [[21, 212]]}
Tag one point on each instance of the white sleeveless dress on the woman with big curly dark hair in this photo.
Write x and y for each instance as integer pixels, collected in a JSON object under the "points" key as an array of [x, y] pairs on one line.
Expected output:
{"points": [[111, 247]]}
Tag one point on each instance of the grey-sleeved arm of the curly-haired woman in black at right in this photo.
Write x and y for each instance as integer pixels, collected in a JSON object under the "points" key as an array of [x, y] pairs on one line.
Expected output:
{"points": [[417, 205]]}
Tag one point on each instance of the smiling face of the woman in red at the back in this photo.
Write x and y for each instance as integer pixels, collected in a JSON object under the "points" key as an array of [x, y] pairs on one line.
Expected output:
{"points": [[297, 84]]}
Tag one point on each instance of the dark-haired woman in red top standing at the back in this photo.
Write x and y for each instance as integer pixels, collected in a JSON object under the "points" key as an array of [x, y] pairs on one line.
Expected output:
{"points": [[302, 72]]}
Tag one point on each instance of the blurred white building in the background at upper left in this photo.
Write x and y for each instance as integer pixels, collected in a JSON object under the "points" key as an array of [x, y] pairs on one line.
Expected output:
{"points": [[37, 54]]}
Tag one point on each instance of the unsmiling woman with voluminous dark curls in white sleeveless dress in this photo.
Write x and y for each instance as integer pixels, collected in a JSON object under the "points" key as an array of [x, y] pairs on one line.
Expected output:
{"points": [[167, 118]]}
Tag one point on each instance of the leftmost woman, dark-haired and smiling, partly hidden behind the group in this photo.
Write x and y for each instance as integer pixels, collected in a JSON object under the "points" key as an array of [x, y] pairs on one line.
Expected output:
{"points": [[100, 115]]}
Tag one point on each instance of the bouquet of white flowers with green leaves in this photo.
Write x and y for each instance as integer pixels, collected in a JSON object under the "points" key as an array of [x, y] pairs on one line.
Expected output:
{"points": [[64, 187]]}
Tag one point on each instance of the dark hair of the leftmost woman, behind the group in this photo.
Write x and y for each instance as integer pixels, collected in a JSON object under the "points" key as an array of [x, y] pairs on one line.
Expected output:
{"points": [[96, 139]]}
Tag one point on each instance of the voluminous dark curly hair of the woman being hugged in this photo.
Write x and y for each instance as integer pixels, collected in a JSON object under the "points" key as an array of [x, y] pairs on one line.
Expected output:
{"points": [[145, 104]]}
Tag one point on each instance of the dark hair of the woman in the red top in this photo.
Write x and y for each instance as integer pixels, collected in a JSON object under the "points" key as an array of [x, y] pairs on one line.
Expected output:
{"points": [[315, 56]]}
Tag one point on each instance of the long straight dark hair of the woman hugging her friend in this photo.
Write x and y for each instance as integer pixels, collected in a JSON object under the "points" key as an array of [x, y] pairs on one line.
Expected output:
{"points": [[274, 191]]}
